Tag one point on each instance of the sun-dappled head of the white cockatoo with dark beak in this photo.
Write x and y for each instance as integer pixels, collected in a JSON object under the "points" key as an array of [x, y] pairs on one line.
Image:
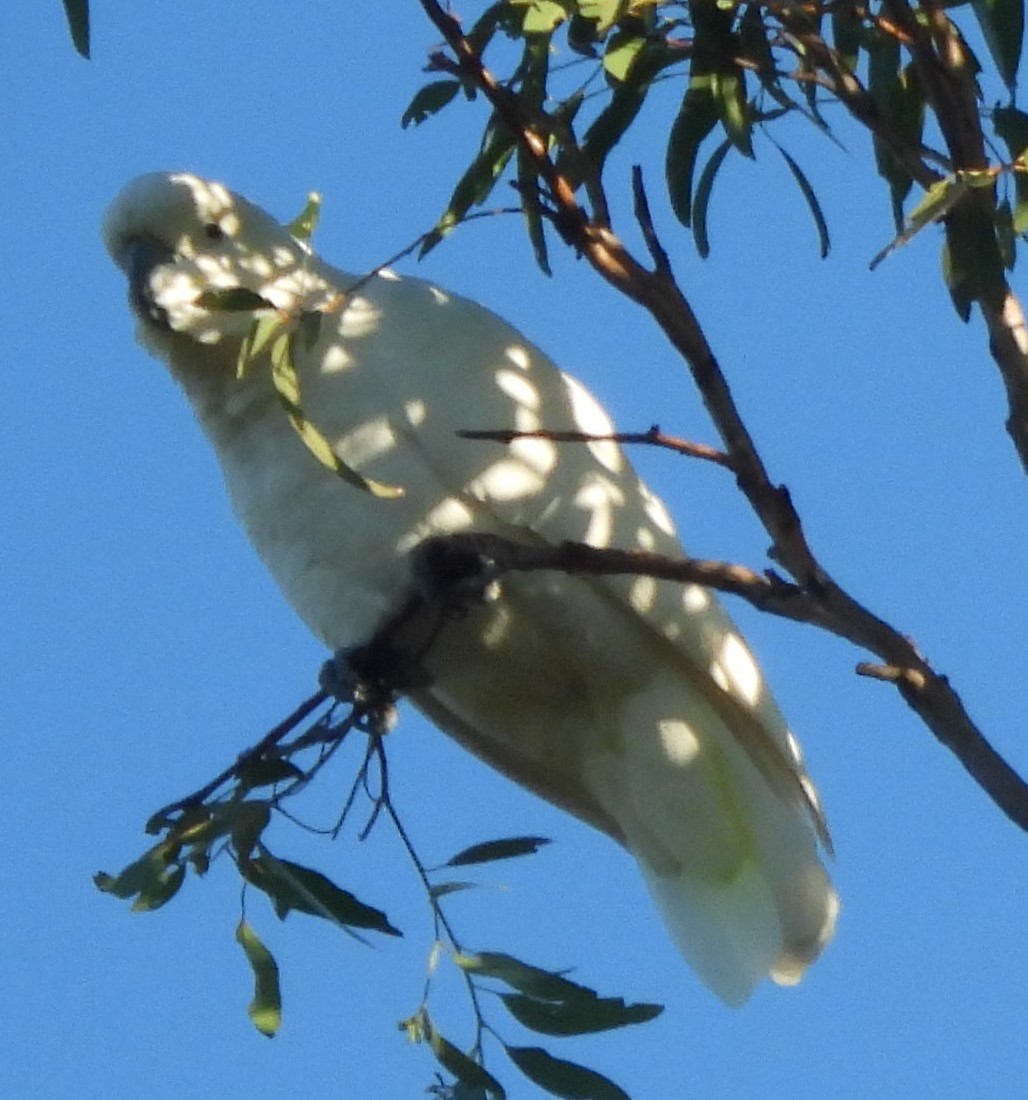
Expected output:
{"points": [[183, 243]]}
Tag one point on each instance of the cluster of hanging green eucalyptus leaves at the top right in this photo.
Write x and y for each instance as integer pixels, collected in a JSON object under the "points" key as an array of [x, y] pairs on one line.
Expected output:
{"points": [[582, 71]]}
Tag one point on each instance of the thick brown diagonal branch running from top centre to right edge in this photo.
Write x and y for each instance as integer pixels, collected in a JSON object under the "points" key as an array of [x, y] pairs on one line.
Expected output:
{"points": [[928, 694]]}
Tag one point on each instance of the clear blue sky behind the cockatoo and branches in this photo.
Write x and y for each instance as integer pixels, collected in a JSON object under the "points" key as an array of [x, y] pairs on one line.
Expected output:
{"points": [[143, 645]]}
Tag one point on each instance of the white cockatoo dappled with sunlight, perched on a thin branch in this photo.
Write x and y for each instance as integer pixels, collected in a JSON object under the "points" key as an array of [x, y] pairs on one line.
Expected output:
{"points": [[632, 703]]}
